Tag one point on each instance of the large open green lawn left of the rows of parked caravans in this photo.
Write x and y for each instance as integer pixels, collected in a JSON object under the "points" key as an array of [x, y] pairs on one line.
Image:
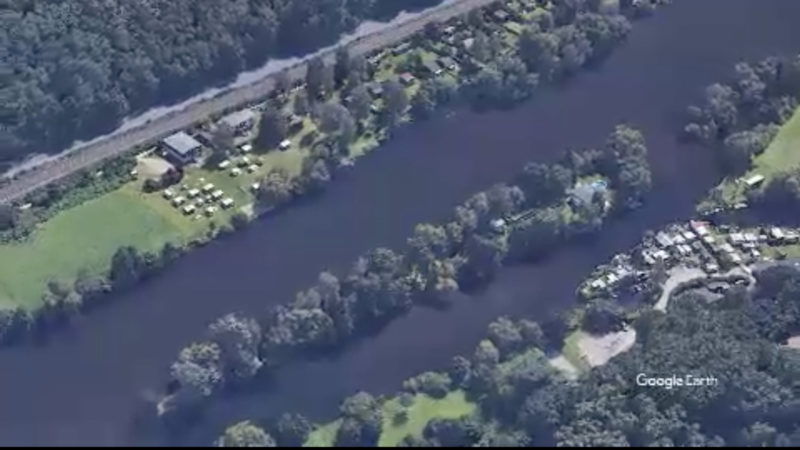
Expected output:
{"points": [[84, 237]]}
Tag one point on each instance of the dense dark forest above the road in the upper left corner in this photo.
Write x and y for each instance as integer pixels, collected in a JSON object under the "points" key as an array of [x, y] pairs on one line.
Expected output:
{"points": [[73, 69]]}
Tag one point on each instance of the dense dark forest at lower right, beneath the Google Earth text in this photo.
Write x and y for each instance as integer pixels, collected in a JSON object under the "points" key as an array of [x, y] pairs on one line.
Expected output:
{"points": [[523, 401]]}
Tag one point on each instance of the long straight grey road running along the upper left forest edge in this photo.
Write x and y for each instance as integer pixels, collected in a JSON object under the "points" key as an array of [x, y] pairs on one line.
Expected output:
{"points": [[117, 144]]}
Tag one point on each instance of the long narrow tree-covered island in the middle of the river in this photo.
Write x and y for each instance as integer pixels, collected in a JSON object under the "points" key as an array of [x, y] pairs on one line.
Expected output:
{"points": [[519, 221]]}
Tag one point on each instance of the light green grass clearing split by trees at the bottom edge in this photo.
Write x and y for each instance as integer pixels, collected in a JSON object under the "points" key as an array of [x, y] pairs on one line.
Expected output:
{"points": [[422, 410]]}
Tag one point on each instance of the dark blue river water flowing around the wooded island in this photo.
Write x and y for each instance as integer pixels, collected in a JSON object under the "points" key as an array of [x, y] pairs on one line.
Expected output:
{"points": [[87, 385]]}
